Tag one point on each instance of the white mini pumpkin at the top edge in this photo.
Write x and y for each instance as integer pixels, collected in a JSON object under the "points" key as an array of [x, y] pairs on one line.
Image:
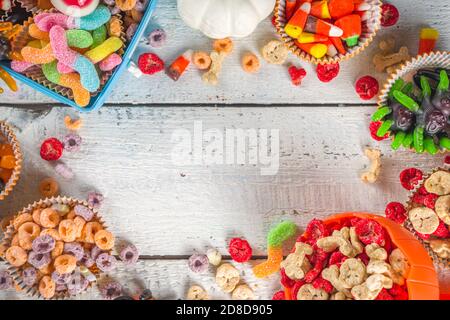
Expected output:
{"points": [[220, 19]]}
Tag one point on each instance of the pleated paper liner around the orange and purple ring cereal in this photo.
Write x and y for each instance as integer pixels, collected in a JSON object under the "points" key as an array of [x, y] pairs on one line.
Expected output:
{"points": [[9, 234]]}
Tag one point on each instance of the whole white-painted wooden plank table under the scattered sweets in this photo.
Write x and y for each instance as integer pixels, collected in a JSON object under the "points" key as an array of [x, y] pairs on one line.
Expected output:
{"points": [[170, 211]]}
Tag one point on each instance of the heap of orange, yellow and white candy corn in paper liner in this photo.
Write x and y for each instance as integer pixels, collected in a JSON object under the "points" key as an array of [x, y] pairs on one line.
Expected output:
{"points": [[326, 27]]}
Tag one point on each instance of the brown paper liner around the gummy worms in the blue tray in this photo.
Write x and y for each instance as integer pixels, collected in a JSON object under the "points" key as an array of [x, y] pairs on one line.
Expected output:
{"points": [[35, 73]]}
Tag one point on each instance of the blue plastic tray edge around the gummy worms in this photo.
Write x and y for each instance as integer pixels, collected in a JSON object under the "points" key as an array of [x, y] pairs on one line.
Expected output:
{"points": [[97, 101]]}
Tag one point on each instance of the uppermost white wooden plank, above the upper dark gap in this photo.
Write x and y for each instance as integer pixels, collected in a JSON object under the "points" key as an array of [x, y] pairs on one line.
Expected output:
{"points": [[236, 87]]}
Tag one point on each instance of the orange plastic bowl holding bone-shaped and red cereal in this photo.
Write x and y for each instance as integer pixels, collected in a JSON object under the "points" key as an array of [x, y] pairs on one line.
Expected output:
{"points": [[422, 280]]}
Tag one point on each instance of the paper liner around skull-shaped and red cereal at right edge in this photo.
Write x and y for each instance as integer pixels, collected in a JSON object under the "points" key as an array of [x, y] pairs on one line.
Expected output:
{"points": [[443, 263]]}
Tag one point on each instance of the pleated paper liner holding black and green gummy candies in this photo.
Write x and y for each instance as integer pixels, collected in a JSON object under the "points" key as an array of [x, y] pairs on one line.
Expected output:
{"points": [[436, 59]]}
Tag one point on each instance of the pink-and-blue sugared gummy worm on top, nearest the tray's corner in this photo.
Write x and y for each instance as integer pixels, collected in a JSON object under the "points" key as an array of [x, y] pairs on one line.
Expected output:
{"points": [[86, 69]]}
